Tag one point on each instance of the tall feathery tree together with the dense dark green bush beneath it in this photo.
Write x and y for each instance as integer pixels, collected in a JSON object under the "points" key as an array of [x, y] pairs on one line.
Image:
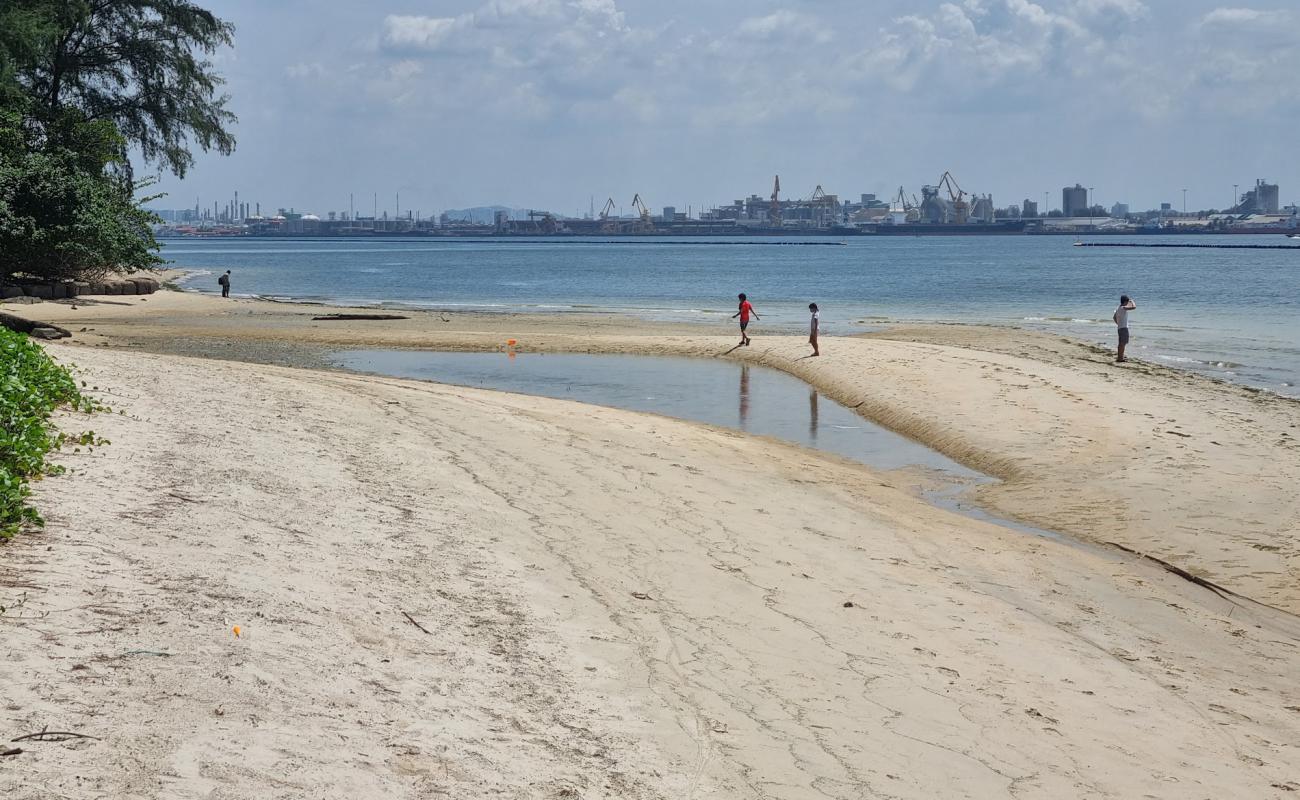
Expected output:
{"points": [[84, 83]]}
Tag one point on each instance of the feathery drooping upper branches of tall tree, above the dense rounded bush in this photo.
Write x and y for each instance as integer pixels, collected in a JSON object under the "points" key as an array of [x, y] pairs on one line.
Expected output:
{"points": [[140, 64]]}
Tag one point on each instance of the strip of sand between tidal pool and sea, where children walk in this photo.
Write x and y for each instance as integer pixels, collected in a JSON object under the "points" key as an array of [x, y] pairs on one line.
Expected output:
{"points": [[1193, 472]]}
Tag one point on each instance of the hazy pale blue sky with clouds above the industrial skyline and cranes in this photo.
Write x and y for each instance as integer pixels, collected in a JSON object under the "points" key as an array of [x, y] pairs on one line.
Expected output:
{"points": [[548, 103]]}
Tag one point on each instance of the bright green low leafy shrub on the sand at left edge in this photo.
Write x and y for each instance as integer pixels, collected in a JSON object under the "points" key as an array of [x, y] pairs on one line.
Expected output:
{"points": [[32, 388]]}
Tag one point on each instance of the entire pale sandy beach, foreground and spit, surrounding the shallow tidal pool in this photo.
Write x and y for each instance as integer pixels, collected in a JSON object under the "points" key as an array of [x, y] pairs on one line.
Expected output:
{"points": [[463, 594]]}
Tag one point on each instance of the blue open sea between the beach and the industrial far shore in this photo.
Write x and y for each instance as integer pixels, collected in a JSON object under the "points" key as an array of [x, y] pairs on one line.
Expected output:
{"points": [[1233, 314]]}
